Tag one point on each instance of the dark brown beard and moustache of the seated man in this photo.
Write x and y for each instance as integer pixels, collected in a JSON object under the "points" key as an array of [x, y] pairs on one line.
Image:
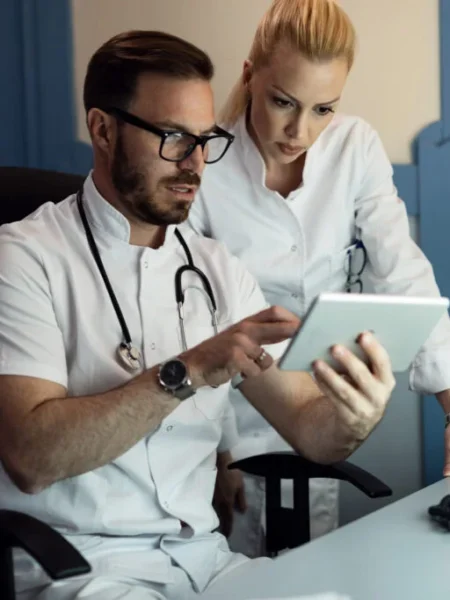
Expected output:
{"points": [[131, 186]]}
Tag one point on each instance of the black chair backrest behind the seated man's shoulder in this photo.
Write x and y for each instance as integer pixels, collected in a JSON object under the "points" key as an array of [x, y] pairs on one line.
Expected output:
{"points": [[23, 190]]}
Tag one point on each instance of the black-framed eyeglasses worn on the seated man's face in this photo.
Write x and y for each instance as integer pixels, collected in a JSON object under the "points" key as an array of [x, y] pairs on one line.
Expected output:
{"points": [[178, 145]]}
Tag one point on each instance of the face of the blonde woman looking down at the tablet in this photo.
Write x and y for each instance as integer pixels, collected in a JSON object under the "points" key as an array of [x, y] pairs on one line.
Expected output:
{"points": [[292, 101]]}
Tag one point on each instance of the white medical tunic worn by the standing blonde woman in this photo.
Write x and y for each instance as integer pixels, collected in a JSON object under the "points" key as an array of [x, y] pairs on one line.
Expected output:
{"points": [[297, 246]]}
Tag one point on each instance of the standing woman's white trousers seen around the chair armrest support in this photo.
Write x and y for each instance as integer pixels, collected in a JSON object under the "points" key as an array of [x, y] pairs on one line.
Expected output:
{"points": [[248, 535]]}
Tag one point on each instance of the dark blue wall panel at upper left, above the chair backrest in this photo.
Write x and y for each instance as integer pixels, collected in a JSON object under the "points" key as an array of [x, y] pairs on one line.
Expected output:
{"points": [[37, 110]]}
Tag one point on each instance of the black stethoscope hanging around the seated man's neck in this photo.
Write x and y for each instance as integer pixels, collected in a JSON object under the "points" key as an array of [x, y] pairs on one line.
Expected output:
{"points": [[129, 355]]}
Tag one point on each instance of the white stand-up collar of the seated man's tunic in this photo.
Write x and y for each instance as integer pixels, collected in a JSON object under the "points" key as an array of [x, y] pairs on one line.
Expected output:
{"points": [[107, 220]]}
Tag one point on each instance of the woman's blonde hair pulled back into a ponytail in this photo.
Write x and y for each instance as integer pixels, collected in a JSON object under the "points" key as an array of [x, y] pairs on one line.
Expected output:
{"points": [[319, 29]]}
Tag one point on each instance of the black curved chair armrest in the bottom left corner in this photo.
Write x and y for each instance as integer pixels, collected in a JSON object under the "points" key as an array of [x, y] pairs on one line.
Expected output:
{"points": [[51, 550]]}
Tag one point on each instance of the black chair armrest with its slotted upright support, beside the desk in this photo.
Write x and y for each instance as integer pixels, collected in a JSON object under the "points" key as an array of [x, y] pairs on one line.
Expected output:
{"points": [[290, 527]]}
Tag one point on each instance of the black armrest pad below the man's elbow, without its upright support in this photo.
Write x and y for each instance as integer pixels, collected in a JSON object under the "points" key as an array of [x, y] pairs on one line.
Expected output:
{"points": [[289, 465]]}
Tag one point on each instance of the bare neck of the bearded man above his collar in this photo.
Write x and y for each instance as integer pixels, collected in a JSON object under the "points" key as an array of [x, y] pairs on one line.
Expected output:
{"points": [[141, 234]]}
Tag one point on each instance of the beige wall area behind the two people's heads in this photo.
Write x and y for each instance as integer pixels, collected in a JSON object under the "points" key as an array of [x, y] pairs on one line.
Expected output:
{"points": [[394, 84]]}
